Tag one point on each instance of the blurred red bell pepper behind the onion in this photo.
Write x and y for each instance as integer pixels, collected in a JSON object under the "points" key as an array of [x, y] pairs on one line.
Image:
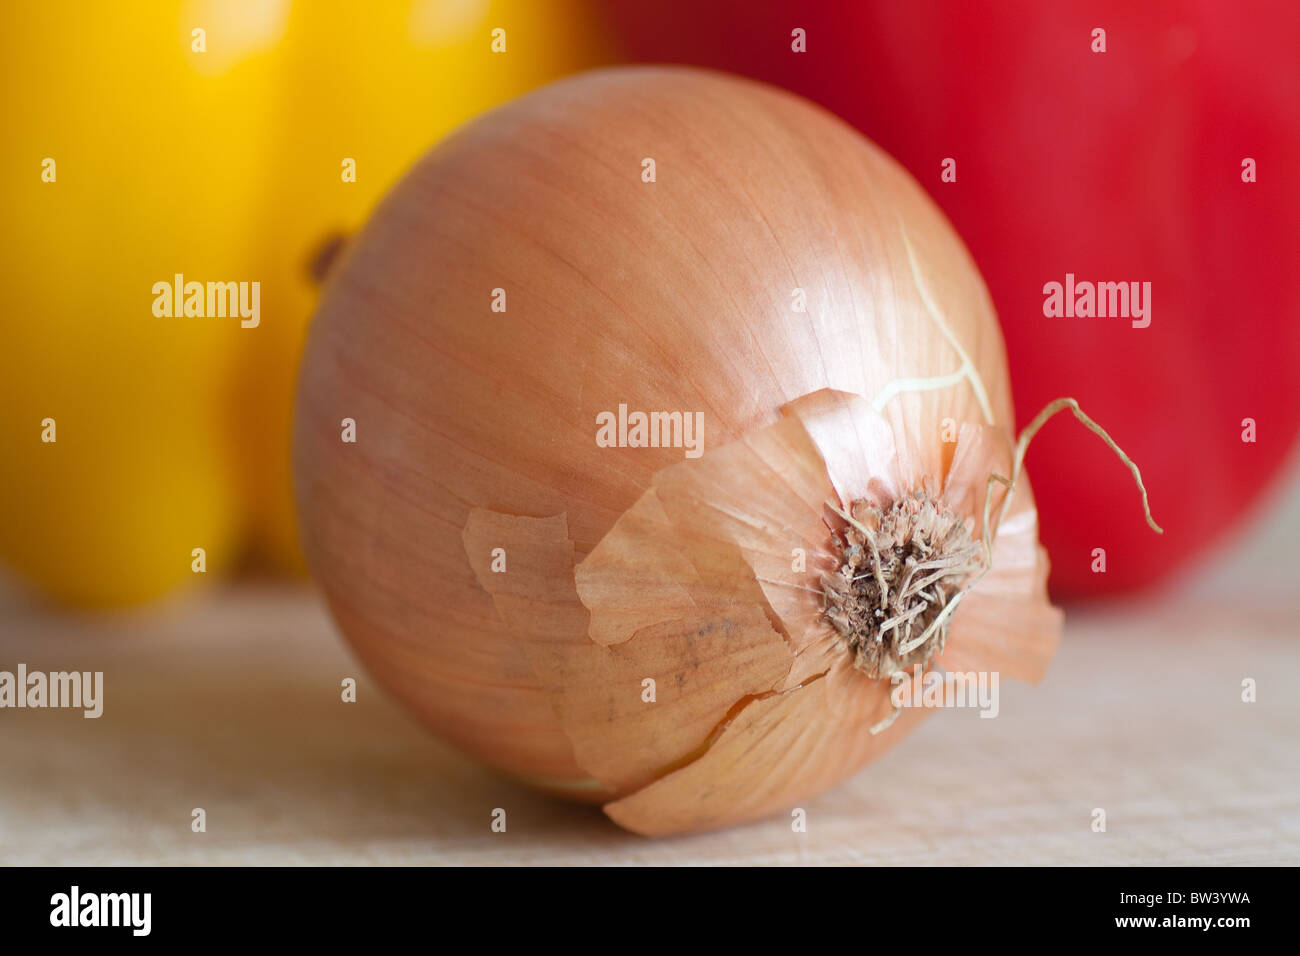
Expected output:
{"points": [[1120, 166]]}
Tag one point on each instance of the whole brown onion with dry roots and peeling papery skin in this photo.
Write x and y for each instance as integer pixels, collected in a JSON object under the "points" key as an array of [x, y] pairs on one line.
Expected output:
{"points": [[673, 635]]}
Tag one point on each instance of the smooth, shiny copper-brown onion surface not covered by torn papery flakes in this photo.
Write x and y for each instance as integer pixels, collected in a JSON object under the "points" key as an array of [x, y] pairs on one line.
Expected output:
{"points": [[670, 295]]}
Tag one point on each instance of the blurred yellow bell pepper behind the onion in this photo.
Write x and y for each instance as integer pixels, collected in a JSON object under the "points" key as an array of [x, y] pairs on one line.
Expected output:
{"points": [[227, 141]]}
